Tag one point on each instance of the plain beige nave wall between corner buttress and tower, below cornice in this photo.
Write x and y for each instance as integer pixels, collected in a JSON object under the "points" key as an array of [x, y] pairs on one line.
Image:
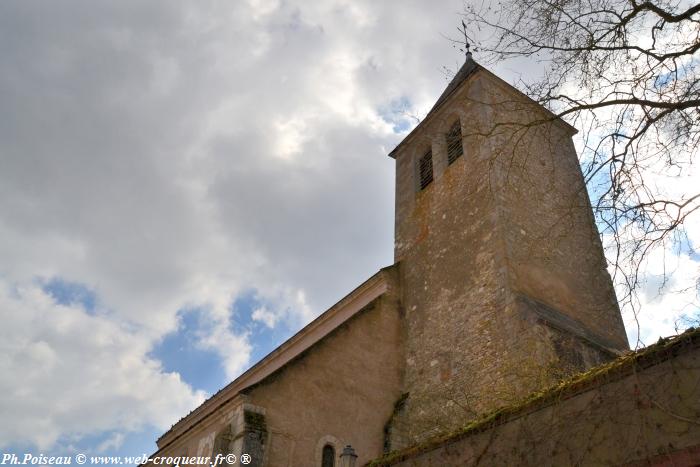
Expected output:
{"points": [[341, 391]]}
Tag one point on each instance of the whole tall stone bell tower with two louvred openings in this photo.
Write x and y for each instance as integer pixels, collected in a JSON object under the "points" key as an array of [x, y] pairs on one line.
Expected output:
{"points": [[504, 282]]}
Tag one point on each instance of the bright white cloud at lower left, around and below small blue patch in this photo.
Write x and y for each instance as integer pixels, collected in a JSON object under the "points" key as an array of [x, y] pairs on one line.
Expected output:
{"points": [[67, 372]]}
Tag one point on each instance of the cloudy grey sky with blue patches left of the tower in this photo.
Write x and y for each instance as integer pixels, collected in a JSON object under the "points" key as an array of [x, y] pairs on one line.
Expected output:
{"points": [[183, 186]]}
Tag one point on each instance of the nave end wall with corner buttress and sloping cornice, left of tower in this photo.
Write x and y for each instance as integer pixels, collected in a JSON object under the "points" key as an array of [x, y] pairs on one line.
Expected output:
{"points": [[340, 390]]}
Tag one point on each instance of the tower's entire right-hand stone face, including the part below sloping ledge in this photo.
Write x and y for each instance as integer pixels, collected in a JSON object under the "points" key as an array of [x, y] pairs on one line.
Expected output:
{"points": [[558, 289]]}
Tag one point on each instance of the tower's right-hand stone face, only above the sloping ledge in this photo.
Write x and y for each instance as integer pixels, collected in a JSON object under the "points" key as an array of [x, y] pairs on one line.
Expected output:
{"points": [[553, 251]]}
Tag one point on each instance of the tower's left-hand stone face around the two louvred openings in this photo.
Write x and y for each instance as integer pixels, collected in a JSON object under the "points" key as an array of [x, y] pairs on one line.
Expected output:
{"points": [[453, 288]]}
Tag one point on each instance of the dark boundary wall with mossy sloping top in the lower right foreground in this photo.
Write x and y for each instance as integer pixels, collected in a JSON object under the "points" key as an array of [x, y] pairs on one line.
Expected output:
{"points": [[641, 409]]}
